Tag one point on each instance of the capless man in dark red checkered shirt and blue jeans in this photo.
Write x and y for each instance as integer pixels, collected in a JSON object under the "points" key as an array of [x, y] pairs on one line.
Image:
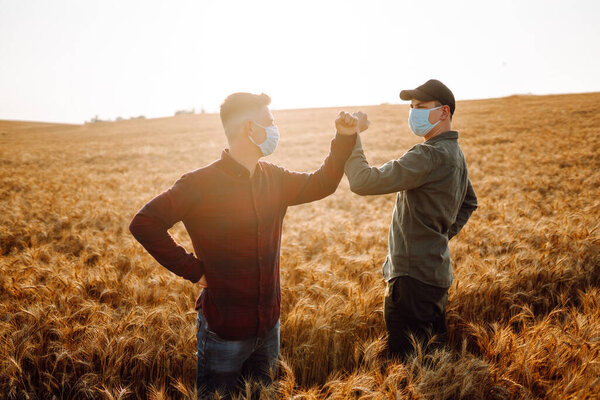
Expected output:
{"points": [[233, 210]]}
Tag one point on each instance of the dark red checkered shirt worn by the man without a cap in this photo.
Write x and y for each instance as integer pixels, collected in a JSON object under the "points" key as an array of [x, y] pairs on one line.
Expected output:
{"points": [[234, 221]]}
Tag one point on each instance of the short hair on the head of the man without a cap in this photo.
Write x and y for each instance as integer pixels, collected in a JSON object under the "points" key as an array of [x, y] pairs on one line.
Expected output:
{"points": [[238, 107]]}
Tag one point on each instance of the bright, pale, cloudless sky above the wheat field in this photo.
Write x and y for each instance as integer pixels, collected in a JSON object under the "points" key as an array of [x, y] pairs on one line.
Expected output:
{"points": [[68, 60]]}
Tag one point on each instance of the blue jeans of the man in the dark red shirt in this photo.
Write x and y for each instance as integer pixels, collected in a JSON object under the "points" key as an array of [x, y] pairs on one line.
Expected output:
{"points": [[222, 363]]}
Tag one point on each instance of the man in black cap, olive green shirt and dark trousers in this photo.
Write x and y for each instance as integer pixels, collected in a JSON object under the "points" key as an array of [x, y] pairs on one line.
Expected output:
{"points": [[434, 201]]}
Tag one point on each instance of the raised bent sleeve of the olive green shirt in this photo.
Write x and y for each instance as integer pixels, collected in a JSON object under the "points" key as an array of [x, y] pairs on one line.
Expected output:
{"points": [[408, 172]]}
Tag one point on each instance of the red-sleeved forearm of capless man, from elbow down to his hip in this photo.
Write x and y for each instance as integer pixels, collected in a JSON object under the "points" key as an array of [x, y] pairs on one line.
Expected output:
{"points": [[156, 239]]}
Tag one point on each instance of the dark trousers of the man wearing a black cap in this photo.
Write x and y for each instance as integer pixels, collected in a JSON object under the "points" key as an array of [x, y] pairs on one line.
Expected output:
{"points": [[412, 307]]}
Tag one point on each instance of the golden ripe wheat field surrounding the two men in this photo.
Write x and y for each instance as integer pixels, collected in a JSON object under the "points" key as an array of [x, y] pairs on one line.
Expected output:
{"points": [[86, 313]]}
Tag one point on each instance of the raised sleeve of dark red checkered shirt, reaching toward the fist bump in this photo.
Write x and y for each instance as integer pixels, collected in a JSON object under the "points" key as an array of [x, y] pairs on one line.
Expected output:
{"points": [[299, 187]]}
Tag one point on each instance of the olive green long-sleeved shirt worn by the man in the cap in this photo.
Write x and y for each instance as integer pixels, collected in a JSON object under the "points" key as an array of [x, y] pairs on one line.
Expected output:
{"points": [[435, 199]]}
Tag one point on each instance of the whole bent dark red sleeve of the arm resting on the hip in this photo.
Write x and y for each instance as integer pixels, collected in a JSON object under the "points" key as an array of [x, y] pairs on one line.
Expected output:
{"points": [[151, 224]]}
